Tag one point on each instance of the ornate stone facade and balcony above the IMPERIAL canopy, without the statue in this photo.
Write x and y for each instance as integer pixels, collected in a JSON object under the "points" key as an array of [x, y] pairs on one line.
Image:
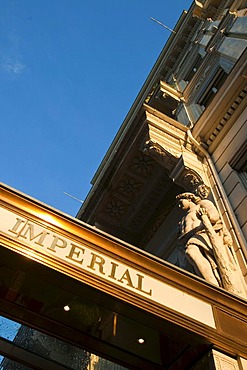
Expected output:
{"points": [[187, 128]]}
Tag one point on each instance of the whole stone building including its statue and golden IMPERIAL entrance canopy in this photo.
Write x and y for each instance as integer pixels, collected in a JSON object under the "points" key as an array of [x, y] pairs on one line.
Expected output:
{"points": [[124, 279]]}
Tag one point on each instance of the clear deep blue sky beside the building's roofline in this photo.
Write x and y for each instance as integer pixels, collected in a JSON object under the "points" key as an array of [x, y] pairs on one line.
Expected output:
{"points": [[69, 73]]}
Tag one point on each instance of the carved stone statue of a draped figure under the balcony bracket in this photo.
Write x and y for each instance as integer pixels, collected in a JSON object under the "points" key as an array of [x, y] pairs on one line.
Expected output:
{"points": [[206, 244]]}
